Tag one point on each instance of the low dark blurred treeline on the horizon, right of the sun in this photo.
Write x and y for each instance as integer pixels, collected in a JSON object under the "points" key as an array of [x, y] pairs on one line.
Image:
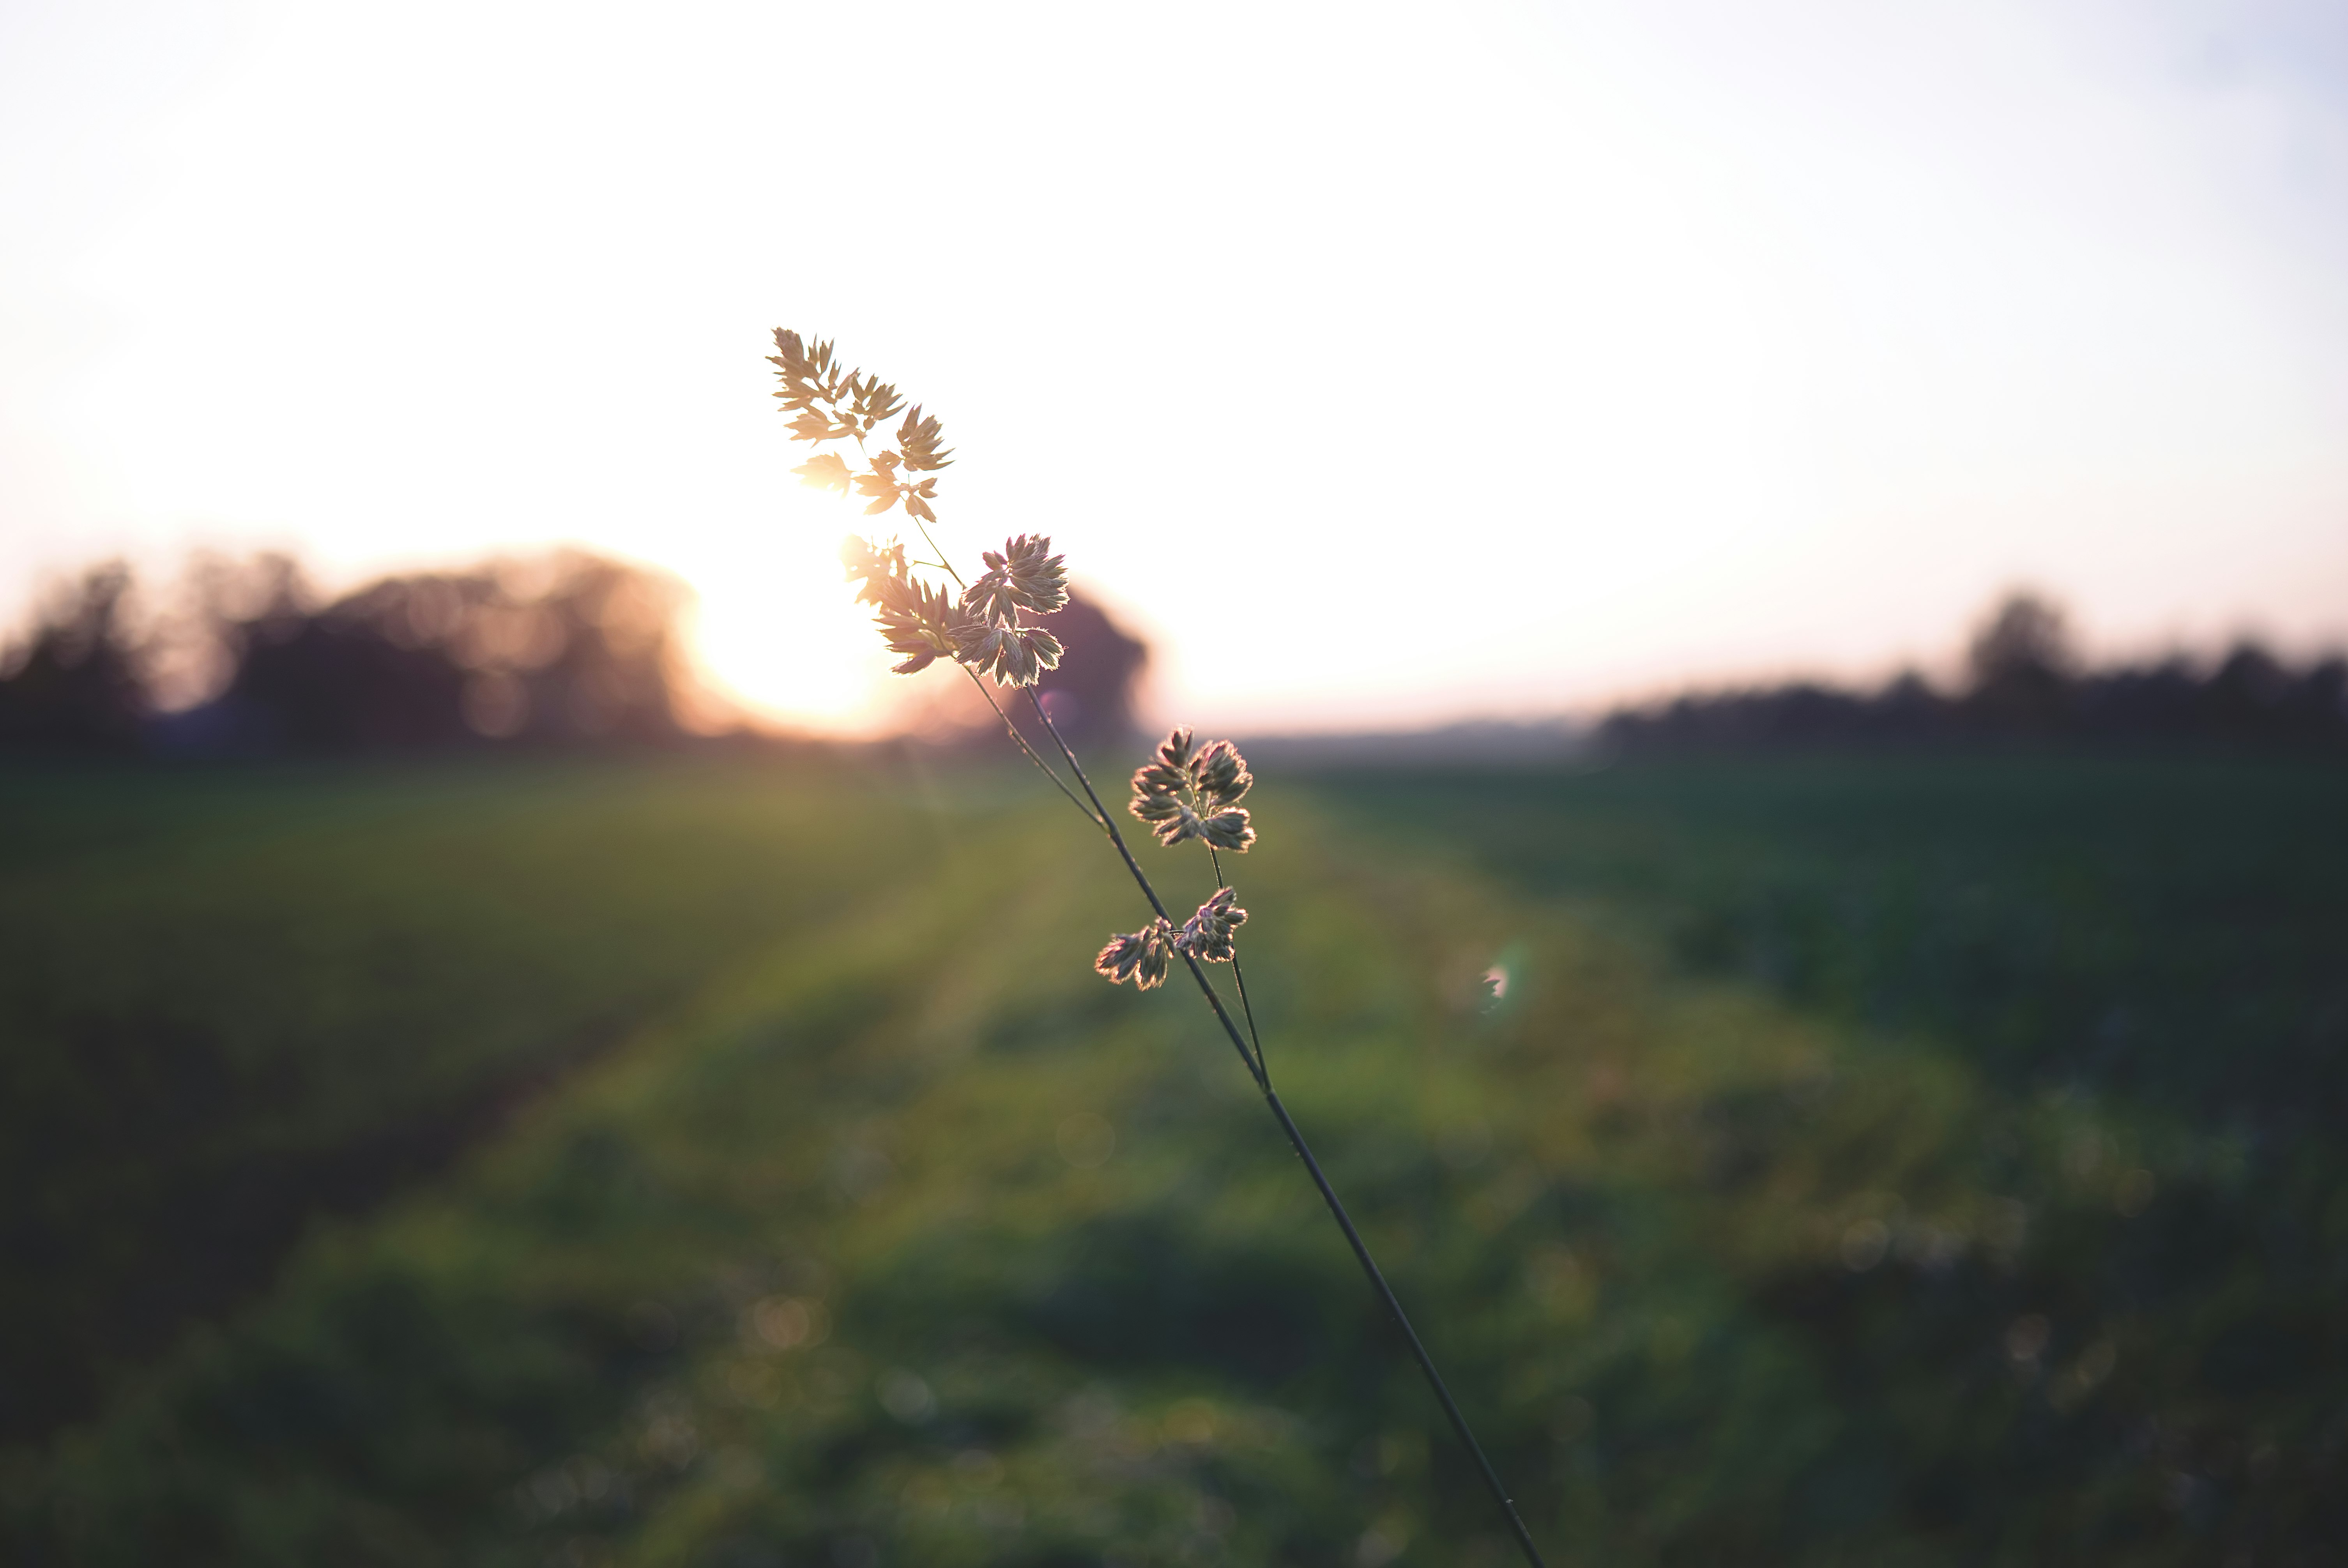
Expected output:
{"points": [[2023, 687]]}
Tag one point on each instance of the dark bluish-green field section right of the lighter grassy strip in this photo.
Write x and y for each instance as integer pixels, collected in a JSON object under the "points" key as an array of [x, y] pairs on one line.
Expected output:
{"points": [[2166, 931]]}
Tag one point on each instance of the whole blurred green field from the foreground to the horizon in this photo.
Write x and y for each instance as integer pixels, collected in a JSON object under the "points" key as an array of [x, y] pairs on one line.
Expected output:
{"points": [[736, 1163]]}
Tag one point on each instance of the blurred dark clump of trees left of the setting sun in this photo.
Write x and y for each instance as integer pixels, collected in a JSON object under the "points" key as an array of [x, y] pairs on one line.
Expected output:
{"points": [[565, 649]]}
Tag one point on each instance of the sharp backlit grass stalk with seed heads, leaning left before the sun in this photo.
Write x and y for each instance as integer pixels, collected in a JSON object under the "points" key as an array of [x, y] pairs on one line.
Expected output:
{"points": [[985, 623]]}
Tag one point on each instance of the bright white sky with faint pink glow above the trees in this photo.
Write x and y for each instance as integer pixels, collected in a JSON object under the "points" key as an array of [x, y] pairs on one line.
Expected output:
{"points": [[1379, 363]]}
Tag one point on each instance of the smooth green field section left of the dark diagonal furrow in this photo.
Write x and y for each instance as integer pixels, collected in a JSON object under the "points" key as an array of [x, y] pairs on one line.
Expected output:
{"points": [[243, 996]]}
